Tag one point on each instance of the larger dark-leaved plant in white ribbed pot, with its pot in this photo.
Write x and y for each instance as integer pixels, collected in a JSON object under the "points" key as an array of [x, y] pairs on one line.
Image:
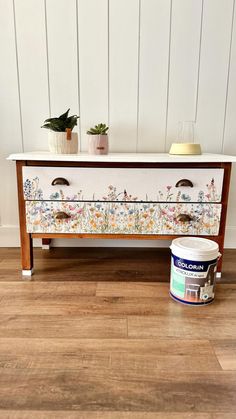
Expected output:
{"points": [[61, 139]]}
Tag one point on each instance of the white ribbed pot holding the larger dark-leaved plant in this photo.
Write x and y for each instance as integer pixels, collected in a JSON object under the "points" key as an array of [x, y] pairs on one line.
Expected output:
{"points": [[58, 143]]}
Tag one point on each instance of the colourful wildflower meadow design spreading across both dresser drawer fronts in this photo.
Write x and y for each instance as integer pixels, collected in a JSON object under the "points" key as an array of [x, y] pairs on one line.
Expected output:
{"points": [[120, 211]]}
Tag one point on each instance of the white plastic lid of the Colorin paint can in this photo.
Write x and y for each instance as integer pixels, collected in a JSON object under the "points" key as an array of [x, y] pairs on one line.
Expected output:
{"points": [[195, 248]]}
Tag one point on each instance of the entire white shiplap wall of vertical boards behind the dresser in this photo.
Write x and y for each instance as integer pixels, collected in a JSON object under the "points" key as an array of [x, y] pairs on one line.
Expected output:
{"points": [[138, 65]]}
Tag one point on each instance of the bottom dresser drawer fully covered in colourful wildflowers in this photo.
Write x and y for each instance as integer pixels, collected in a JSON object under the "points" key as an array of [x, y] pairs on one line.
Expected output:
{"points": [[122, 218]]}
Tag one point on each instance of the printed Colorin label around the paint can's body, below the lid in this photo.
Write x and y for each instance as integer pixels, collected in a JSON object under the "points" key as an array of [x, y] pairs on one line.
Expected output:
{"points": [[192, 282]]}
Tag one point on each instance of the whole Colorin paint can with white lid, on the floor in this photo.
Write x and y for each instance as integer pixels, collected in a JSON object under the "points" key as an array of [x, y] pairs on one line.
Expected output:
{"points": [[193, 270]]}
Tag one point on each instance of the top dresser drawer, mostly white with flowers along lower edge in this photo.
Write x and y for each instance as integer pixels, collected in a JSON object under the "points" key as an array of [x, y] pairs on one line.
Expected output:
{"points": [[122, 184]]}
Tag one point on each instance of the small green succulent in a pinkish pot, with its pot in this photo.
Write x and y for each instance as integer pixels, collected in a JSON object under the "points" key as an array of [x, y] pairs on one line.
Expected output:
{"points": [[98, 139]]}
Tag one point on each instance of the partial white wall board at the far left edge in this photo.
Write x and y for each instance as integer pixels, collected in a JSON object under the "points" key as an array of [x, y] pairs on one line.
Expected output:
{"points": [[10, 129]]}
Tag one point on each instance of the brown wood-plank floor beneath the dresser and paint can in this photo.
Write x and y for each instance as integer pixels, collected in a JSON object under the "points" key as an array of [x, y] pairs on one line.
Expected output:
{"points": [[94, 335]]}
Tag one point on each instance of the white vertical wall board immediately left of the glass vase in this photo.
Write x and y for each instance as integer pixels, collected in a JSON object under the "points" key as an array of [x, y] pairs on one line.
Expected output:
{"points": [[153, 74]]}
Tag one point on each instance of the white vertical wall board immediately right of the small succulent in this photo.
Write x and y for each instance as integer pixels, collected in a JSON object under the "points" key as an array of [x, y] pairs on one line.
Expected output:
{"points": [[123, 54]]}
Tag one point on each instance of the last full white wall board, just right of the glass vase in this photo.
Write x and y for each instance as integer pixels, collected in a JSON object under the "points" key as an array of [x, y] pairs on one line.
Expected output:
{"points": [[216, 33]]}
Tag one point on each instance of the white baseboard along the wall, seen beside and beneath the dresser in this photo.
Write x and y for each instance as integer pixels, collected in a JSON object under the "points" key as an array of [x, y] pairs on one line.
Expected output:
{"points": [[9, 237]]}
